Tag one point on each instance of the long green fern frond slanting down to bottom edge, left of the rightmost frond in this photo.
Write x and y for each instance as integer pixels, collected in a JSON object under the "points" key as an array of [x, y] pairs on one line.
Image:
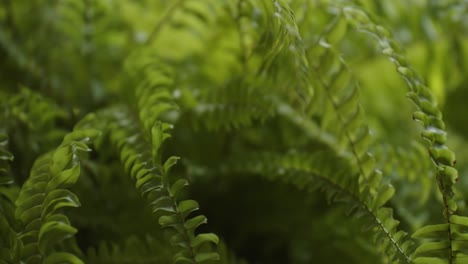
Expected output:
{"points": [[336, 103]]}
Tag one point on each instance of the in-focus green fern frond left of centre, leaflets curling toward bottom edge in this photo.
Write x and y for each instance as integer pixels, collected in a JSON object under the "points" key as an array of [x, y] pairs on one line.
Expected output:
{"points": [[151, 175]]}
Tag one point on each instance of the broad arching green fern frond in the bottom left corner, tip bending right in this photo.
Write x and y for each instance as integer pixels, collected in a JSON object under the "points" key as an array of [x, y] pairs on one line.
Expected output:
{"points": [[44, 194]]}
